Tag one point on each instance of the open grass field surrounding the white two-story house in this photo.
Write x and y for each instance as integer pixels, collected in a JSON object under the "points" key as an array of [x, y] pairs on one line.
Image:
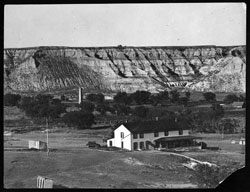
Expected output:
{"points": [[71, 164]]}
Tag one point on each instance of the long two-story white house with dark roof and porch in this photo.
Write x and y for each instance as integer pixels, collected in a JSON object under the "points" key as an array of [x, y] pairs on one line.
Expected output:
{"points": [[165, 133]]}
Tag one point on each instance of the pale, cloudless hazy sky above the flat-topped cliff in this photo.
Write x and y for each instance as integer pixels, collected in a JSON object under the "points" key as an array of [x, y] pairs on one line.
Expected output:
{"points": [[84, 25]]}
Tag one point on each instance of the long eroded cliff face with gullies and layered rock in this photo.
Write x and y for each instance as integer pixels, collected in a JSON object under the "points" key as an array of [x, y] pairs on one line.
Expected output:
{"points": [[207, 68]]}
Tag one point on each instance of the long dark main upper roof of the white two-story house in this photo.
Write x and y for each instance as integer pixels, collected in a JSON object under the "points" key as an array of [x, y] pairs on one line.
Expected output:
{"points": [[155, 126]]}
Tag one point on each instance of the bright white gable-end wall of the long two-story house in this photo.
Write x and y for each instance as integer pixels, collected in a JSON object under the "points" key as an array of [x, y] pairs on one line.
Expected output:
{"points": [[117, 140]]}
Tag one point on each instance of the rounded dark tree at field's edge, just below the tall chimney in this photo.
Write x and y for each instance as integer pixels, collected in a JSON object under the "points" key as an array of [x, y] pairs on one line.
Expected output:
{"points": [[79, 119]]}
